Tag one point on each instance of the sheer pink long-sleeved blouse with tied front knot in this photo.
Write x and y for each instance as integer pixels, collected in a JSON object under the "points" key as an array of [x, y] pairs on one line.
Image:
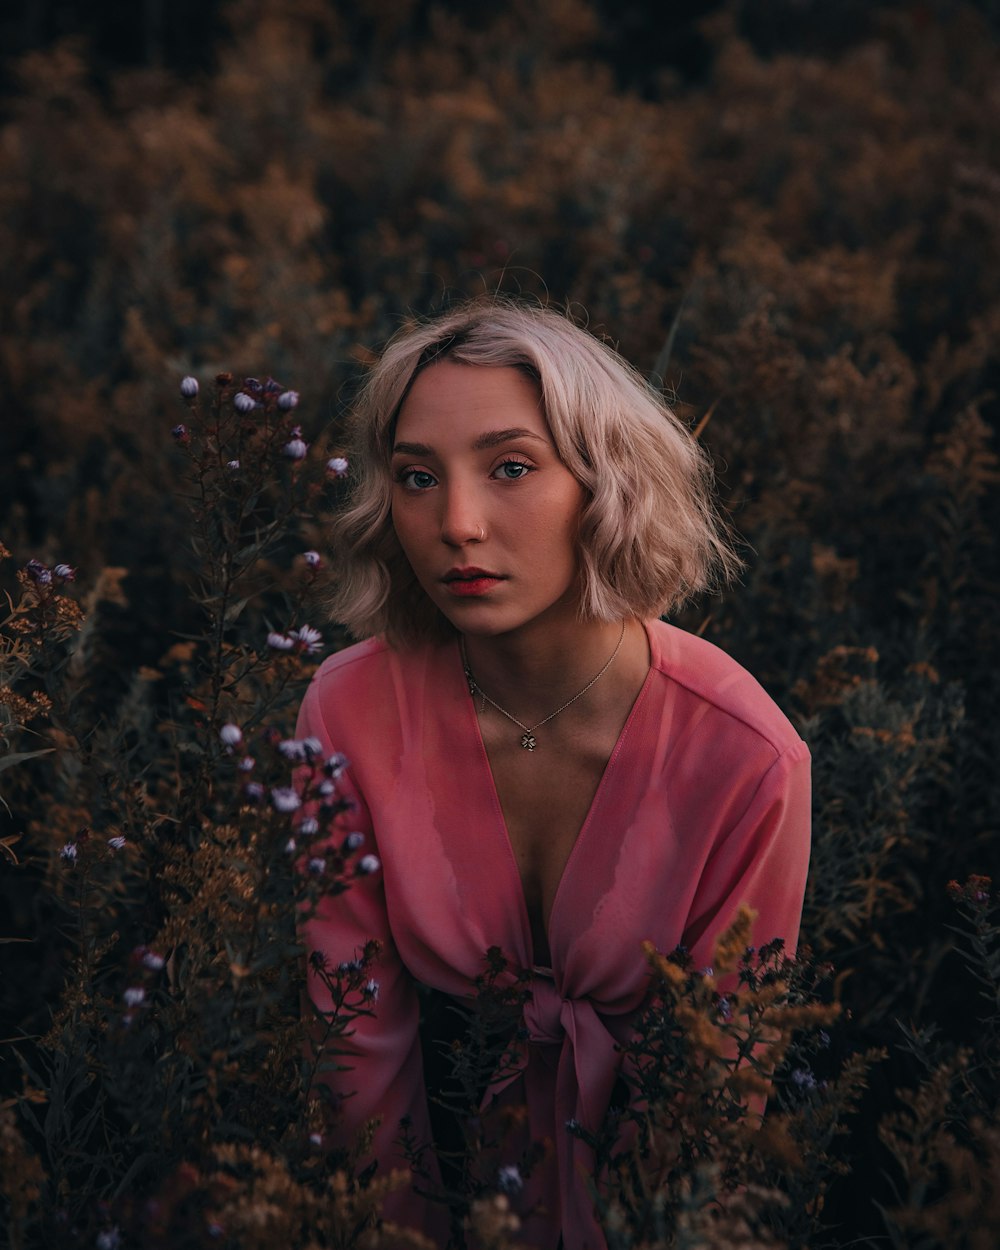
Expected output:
{"points": [[704, 806]]}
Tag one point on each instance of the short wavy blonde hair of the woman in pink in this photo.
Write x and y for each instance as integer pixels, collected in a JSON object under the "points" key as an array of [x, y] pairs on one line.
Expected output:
{"points": [[649, 532]]}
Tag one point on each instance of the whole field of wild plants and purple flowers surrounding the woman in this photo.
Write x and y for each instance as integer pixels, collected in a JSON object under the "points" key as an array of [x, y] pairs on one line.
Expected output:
{"points": [[802, 249]]}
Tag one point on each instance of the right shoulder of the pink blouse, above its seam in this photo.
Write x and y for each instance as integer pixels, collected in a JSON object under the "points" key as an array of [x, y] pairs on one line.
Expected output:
{"points": [[711, 677]]}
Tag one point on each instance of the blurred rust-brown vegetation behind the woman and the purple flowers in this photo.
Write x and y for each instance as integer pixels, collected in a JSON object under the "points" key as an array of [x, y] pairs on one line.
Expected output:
{"points": [[787, 214]]}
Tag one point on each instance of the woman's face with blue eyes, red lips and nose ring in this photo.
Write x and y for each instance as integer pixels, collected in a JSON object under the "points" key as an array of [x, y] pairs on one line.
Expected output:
{"points": [[483, 507]]}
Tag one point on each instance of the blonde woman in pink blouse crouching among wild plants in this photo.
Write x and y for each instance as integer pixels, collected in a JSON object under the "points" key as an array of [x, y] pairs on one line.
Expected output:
{"points": [[541, 763]]}
